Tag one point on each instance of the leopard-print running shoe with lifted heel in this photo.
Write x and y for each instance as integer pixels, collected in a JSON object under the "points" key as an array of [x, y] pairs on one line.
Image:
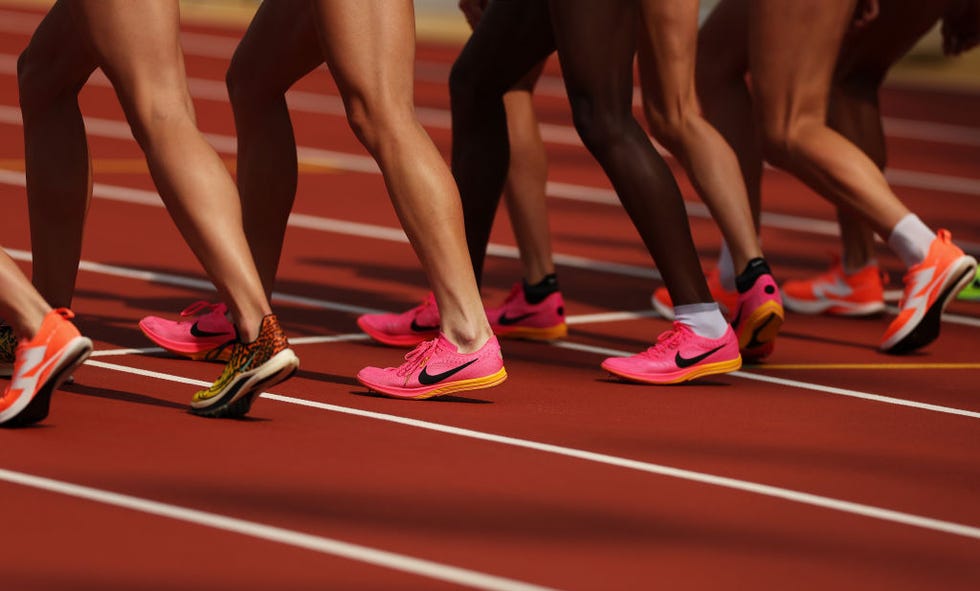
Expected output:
{"points": [[264, 362]]}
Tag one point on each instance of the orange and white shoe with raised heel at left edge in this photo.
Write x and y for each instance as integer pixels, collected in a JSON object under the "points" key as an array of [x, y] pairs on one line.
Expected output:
{"points": [[40, 366]]}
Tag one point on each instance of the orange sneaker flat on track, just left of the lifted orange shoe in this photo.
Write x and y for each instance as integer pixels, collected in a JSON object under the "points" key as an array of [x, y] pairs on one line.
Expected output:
{"points": [[837, 293]]}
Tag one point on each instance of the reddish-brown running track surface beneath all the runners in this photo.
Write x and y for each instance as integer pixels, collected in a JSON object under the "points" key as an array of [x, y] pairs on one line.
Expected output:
{"points": [[582, 496]]}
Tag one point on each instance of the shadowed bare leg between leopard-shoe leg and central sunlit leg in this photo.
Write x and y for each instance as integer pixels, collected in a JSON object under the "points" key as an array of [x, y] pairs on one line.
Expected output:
{"points": [[279, 48]]}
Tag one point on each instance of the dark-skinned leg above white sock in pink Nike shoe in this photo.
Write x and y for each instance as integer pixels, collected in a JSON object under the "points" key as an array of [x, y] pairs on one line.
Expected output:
{"points": [[599, 81]]}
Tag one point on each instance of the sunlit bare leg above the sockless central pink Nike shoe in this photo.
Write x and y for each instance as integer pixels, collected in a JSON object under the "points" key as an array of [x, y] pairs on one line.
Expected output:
{"points": [[370, 50]]}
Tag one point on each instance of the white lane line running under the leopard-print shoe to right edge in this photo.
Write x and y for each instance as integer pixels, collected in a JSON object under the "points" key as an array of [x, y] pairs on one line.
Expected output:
{"points": [[795, 496]]}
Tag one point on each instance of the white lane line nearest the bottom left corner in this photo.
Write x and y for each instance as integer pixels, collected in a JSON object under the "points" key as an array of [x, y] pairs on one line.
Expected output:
{"points": [[279, 535]]}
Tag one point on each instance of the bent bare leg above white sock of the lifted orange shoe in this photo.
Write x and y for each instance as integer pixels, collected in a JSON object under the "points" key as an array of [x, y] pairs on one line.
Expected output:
{"points": [[793, 47]]}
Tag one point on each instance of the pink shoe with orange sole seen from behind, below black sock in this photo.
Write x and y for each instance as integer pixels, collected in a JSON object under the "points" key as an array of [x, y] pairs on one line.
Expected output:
{"points": [[758, 316]]}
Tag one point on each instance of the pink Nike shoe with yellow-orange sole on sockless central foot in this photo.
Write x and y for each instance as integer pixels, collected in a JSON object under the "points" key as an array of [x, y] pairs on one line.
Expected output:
{"points": [[435, 368]]}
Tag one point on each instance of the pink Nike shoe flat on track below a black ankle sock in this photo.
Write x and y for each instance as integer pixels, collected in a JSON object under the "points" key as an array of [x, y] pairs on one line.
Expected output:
{"points": [[517, 318]]}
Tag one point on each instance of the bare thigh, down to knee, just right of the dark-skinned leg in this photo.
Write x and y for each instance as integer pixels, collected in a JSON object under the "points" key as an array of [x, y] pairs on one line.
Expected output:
{"points": [[666, 51]]}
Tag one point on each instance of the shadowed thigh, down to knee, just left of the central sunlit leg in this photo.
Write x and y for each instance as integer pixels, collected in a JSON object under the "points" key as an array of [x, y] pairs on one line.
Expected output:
{"points": [[279, 47]]}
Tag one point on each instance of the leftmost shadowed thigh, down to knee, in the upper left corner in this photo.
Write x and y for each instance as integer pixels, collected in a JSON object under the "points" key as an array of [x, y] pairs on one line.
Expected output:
{"points": [[58, 55]]}
